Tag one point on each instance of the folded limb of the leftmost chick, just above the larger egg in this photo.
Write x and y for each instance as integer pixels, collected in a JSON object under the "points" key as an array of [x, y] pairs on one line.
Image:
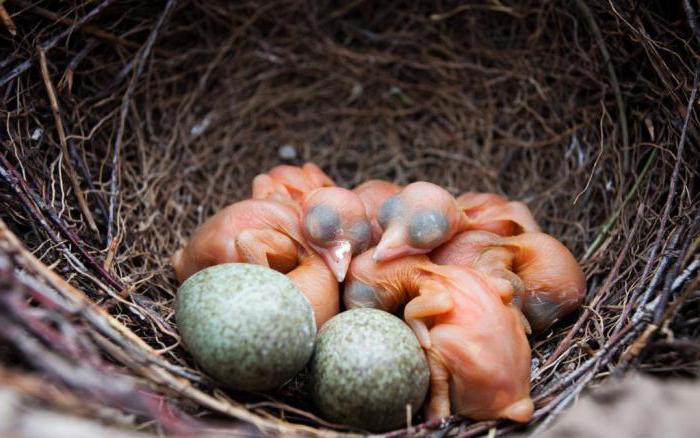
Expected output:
{"points": [[267, 248]]}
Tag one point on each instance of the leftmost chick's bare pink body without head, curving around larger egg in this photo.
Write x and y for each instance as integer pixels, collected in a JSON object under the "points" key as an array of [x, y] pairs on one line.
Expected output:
{"points": [[266, 233]]}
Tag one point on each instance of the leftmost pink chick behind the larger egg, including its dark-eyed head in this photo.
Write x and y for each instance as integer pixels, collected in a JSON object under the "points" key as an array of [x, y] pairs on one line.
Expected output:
{"points": [[276, 229]]}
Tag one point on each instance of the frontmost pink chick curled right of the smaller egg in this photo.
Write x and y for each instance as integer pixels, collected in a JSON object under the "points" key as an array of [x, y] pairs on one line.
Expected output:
{"points": [[473, 336]]}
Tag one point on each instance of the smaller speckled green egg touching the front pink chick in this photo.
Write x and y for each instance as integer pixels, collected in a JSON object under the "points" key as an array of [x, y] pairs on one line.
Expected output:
{"points": [[366, 368]]}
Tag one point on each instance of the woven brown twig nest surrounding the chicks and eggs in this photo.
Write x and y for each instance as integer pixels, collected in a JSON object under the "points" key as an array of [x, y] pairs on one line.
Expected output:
{"points": [[126, 124]]}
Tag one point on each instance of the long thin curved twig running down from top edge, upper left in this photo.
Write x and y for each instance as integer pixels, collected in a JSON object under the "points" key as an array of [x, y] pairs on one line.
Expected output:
{"points": [[124, 111]]}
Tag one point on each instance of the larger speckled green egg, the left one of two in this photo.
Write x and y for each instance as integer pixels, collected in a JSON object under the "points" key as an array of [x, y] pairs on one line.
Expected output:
{"points": [[247, 326]]}
